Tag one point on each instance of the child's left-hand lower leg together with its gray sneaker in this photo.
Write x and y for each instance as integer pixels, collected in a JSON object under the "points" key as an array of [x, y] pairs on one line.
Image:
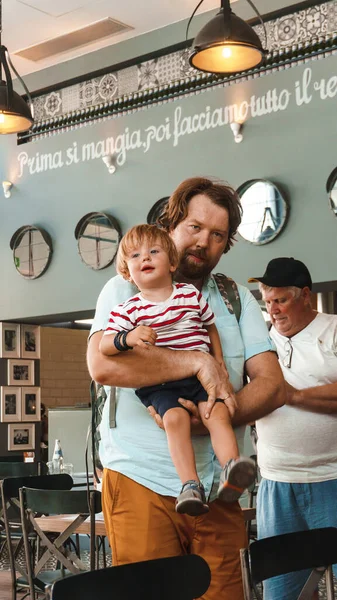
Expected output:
{"points": [[191, 500]]}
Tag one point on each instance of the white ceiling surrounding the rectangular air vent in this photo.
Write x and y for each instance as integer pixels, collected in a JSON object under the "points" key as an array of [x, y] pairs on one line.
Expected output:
{"points": [[29, 22]]}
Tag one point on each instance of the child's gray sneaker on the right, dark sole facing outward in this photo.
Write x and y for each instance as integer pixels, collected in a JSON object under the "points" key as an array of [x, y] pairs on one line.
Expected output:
{"points": [[236, 476]]}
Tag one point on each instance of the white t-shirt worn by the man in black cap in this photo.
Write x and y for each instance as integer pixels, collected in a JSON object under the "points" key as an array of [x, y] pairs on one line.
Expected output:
{"points": [[296, 445]]}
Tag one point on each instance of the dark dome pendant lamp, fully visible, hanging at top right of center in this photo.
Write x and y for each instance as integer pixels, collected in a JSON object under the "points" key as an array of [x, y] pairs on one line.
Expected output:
{"points": [[227, 44]]}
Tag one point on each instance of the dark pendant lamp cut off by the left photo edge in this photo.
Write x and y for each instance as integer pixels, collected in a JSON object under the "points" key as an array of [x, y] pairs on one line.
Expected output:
{"points": [[15, 114]]}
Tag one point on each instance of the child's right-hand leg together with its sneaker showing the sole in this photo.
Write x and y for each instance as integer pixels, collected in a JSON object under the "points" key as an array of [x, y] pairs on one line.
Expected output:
{"points": [[237, 473]]}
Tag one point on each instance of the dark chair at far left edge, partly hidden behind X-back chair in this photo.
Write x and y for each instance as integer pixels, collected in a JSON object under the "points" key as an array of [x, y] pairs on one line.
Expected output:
{"points": [[12, 520]]}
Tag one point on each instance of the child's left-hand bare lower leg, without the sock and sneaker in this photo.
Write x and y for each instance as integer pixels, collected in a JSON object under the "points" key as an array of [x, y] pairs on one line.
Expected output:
{"points": [[177, 425]]}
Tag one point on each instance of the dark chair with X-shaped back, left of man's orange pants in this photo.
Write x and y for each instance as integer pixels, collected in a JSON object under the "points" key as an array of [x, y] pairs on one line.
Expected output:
{"points": [[78, 505]]}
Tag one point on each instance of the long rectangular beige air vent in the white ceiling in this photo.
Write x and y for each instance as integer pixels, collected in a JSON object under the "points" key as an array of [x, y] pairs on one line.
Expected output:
{"points": [[74, 39]]}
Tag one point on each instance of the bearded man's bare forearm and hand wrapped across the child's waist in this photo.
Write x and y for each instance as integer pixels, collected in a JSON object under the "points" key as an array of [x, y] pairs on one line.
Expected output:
{"points": [[150, 366]]}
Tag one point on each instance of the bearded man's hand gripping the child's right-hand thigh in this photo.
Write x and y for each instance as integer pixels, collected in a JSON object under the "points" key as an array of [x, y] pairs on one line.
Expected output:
{"points": [[215, 380]]}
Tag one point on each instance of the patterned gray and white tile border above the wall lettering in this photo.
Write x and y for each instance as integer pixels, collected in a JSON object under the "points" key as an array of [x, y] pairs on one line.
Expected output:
{"points": [[290, 39]]}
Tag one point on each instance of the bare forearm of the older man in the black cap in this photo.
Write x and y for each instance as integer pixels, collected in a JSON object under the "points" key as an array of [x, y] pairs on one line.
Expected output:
{"points": [[321, 399]]}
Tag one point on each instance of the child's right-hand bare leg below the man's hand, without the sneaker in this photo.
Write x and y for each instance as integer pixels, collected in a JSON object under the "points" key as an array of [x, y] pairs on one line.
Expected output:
{"points": [[219, 425]]}
